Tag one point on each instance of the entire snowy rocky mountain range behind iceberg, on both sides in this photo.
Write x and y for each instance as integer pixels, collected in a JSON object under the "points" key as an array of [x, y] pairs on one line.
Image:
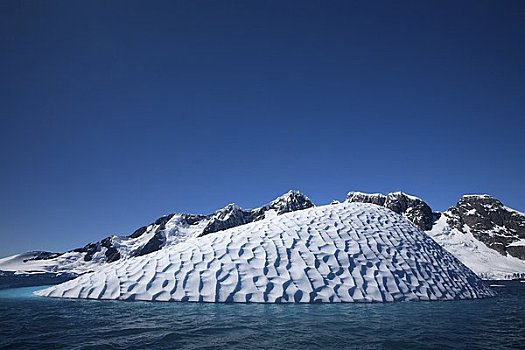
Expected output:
{"points": [[484, 234]]}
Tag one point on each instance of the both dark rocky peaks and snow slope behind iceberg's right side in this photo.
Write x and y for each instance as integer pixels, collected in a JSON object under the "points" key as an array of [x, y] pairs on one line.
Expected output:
{"points": [[479, 230]]}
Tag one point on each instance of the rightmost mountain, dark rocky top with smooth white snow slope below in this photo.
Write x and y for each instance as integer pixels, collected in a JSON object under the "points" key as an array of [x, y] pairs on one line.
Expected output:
{"points": [[485, 235]]}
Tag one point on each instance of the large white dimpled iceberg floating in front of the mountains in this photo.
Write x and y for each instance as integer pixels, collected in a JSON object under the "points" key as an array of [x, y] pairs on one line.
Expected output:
{"points": [[349, 252]]}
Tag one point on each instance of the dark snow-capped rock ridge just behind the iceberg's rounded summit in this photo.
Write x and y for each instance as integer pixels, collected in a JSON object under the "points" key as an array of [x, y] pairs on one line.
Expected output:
{"points": [[413, 208]]}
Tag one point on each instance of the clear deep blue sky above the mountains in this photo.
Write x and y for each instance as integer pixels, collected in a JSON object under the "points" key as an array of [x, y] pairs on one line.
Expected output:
{"points": [[115, 112]]}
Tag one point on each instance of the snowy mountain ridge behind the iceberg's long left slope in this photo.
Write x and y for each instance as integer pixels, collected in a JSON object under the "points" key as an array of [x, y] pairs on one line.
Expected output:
{"points": [[166, 230]]}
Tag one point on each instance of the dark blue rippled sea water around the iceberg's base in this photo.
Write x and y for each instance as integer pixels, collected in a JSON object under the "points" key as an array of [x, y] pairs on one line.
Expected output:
{"points": [[29, 322]]}
